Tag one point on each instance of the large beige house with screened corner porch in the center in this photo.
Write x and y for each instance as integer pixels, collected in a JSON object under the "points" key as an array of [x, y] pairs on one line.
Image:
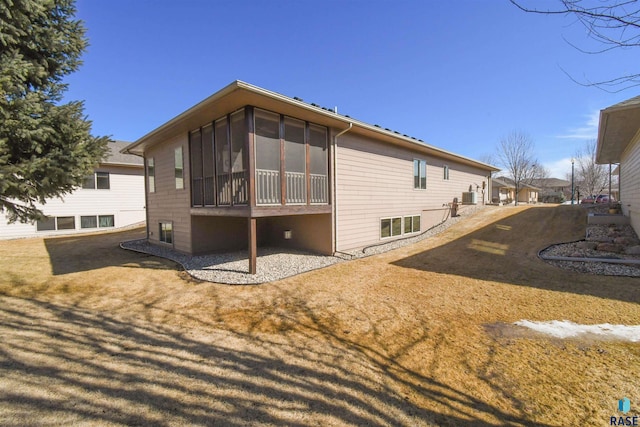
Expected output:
{"points": [[248, 167]]}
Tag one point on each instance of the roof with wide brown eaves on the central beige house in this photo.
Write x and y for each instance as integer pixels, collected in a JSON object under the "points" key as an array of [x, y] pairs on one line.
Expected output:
{"points": [[239, 94]]}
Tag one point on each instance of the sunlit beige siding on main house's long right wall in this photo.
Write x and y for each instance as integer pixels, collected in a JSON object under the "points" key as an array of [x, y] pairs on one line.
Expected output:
{"points": [[375, 180]]}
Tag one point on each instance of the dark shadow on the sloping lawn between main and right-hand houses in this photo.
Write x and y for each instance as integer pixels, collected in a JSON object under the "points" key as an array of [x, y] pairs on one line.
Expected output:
{"points": [[506, 251]]}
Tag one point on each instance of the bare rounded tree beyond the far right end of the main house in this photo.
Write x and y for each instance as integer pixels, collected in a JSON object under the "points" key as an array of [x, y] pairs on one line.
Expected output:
{"points": [[516, 154]]}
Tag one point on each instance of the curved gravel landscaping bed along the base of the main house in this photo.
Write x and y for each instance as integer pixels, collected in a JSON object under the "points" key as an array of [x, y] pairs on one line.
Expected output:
{"points": [[274, 263]]}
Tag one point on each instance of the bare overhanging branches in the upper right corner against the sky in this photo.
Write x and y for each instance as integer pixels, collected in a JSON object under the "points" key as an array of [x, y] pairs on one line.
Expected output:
{"points": [[613, 24]]}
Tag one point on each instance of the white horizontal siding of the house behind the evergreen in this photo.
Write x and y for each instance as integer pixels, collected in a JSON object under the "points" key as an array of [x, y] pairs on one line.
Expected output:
{"points": [[124, 200]]}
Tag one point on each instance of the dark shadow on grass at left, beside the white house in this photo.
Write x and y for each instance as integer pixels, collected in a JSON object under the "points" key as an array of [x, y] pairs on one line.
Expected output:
{"points": [[73, 254]]}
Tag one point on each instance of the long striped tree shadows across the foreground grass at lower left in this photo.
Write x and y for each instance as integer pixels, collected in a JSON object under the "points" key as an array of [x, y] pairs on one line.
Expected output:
{"points": [[64, 365]]}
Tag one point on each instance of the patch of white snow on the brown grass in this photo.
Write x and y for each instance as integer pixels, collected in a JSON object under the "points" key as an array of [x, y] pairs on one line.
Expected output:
{"points": [[567, 329]]}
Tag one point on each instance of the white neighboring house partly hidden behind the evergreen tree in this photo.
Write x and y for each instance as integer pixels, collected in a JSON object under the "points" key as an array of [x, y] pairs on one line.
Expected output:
{"points": [[112, 197]]}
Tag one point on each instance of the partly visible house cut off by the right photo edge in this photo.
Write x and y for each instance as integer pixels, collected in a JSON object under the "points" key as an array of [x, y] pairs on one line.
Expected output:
{"points": [[619, 142]]}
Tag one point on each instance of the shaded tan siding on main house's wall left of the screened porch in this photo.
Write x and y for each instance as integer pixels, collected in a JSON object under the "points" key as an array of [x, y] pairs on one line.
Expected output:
{"points": [[168, 204]]}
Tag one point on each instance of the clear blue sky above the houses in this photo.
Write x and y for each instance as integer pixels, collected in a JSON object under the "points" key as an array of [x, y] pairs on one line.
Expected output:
{"points": [[458, 74]]}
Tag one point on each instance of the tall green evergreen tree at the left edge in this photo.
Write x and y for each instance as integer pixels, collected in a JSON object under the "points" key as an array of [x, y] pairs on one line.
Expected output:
{"points": [[46, 146]]}
